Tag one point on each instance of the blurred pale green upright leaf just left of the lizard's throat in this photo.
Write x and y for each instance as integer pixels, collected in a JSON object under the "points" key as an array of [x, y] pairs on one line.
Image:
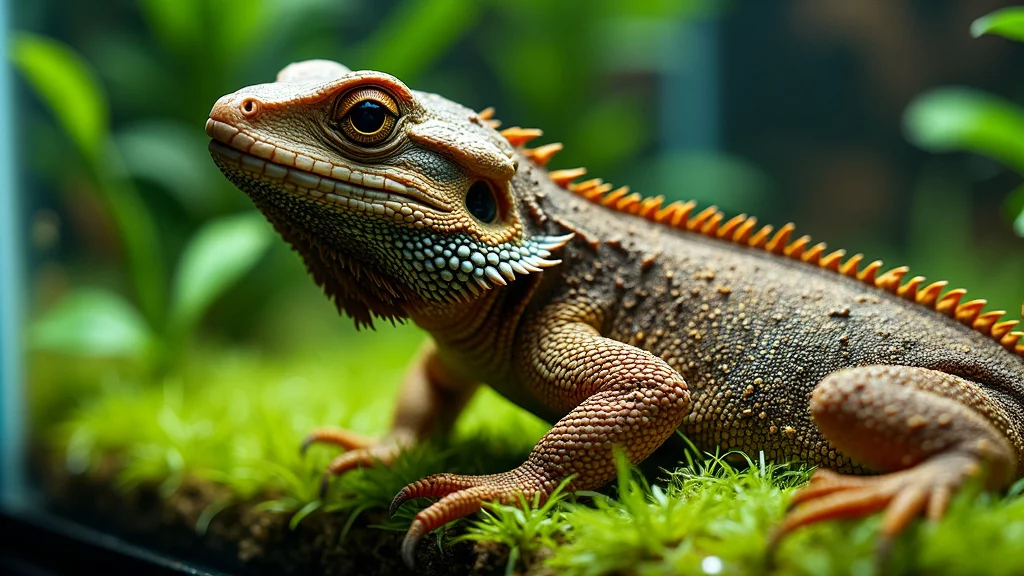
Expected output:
{"points": [[221, 254]]}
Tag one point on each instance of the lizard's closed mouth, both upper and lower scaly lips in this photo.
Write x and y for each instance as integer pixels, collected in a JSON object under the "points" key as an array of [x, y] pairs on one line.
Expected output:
{"points": [[323, 183]]}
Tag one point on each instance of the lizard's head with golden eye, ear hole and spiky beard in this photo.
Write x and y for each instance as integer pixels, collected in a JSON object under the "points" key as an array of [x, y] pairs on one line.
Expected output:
{"points": [[396, 199]]}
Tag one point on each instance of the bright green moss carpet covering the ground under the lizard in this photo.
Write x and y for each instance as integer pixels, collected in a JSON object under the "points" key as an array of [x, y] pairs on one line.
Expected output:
{"points": [[237, 419]]}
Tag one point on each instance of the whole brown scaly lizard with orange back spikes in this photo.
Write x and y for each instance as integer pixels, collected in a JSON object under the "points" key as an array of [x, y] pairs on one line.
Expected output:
{"points": [[569, 301]]}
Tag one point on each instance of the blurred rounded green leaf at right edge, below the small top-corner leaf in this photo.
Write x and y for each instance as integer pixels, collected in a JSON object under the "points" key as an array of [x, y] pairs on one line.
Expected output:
{"points": [[951, 119]]}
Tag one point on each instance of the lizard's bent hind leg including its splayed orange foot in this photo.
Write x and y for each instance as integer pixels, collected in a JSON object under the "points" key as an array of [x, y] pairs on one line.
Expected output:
{"points": [[928, 432]]}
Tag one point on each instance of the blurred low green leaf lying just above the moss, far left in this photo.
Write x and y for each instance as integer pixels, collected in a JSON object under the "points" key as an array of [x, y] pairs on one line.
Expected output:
{"points": [[93, 322]]}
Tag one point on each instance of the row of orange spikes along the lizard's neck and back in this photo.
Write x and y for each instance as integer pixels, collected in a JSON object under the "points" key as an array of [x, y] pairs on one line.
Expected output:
{"points": [[743, 230]]}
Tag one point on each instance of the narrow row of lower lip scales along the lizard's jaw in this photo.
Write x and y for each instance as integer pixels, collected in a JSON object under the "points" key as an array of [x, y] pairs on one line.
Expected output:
{"points": [[340, 193]]}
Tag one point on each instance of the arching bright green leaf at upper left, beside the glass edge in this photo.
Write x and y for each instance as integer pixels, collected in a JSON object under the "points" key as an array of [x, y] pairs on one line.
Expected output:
{"points": [[69, 88]]}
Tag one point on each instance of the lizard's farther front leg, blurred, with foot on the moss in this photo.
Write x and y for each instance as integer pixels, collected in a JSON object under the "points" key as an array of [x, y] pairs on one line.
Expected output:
{"points": [[431, 399]]}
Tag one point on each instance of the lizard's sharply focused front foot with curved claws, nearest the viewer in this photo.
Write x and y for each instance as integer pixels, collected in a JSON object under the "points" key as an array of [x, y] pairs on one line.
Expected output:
{"points": [[463, 496]]}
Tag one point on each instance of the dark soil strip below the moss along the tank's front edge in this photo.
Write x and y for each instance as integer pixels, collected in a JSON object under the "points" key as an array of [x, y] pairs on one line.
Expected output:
{"points": [[245, 541]]}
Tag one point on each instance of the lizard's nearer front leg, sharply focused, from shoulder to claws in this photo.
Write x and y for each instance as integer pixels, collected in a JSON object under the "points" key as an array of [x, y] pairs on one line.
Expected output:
{"points": [[615, 395]]}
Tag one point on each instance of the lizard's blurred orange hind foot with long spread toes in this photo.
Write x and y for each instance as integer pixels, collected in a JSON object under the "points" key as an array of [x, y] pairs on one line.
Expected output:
{"points": [[925, 489]]}
